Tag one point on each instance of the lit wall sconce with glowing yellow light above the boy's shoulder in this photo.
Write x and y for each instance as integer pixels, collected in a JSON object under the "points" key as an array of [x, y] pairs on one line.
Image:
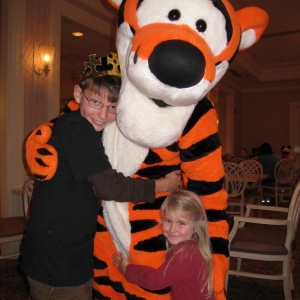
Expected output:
{"points": [[43, 58]]}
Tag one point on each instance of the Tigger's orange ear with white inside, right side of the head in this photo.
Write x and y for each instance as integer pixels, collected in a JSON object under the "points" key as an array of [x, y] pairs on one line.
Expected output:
{"points": [[253, 22]]}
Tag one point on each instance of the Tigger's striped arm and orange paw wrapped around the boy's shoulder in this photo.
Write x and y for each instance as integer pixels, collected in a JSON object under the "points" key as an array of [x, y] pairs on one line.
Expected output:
{"points": [[41, 157]]}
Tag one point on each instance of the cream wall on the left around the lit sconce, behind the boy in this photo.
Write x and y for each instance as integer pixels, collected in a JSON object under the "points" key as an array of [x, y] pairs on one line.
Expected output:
{"points": [[27, 100]]}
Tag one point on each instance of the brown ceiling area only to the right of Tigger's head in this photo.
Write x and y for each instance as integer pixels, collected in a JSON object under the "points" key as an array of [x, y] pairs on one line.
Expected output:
{"points": [[274, 61]]}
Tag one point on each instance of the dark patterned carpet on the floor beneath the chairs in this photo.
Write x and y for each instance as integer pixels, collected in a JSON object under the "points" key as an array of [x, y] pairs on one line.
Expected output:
{"points": [[13, 284]]}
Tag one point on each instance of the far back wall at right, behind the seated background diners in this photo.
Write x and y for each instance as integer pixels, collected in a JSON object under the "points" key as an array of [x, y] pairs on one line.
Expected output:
{"points": [[264, 117]]}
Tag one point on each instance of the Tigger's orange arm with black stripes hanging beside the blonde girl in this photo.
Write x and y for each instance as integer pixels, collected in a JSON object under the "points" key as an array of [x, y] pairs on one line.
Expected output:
{"points": [[203, 173]]}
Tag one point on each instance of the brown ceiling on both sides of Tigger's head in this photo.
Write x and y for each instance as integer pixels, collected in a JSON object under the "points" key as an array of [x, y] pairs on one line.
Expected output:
{"points": [[272, 63]]}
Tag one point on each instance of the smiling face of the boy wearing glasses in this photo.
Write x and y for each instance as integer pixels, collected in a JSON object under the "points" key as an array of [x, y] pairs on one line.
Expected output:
{"points": [[99, 118]]}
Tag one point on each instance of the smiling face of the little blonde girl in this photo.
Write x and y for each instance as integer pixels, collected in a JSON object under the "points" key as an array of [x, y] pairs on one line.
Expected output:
{"points": [[177, 227]]}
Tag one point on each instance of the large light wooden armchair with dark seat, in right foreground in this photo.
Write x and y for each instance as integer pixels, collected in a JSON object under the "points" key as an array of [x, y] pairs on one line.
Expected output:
{"points": [[274, 240]]}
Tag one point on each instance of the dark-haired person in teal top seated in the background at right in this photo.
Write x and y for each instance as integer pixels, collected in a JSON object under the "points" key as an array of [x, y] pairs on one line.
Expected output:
{"points": [[268, 161]]}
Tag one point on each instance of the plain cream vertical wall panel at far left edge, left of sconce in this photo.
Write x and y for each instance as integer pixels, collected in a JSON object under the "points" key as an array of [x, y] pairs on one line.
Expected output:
{"points": [[11, 103]]}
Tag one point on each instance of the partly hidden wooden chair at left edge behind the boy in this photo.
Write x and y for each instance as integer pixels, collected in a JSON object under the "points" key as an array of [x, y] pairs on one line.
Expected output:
{"points": [[13, 228]]}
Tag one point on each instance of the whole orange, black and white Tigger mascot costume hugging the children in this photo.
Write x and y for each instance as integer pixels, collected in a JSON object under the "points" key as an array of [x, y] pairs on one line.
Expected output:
{"points": [[171, 53]]}
